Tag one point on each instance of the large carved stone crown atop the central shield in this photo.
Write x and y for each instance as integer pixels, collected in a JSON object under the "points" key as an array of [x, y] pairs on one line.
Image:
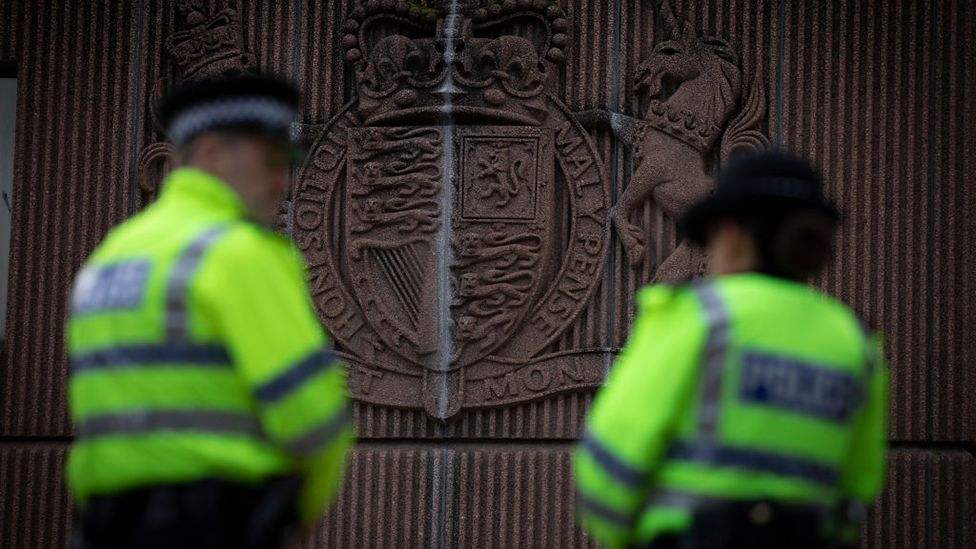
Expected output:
{"points": [[483, 62]]}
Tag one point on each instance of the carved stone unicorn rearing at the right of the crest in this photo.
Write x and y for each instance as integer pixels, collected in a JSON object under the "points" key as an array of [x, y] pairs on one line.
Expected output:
{"points": [[695, 107]]}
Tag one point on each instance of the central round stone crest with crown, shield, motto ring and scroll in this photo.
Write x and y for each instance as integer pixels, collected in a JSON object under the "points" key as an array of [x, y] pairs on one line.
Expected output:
{"points": [[454, 213]]}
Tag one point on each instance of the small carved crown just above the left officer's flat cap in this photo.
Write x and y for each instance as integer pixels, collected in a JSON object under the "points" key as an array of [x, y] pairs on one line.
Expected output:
{"points": [[213, 44]]}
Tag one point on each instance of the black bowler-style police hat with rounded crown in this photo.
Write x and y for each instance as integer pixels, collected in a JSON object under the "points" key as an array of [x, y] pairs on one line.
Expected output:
{"points": [[770, 182]]}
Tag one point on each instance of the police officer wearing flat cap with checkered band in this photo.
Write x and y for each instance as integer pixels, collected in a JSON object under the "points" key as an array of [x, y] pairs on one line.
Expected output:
{"points": [[208, 409]]}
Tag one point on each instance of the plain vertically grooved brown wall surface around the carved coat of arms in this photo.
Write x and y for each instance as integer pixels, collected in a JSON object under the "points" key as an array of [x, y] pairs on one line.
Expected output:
{"points": [[879, 93]]}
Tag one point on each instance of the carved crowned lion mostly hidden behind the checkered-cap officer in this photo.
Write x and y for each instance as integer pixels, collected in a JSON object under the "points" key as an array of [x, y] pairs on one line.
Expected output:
{"points": [[208, 40]]}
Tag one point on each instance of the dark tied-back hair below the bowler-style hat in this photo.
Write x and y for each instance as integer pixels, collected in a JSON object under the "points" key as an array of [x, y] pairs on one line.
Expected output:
{"points": [[792, 244]]}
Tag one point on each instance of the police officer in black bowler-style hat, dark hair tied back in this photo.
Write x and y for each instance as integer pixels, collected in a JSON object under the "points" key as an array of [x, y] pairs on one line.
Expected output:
{"points": [[745, 409]]}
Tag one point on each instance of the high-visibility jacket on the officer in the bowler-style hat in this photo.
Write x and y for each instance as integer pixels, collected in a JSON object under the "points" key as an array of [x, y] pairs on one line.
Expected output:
{"points": [[745, 387]]}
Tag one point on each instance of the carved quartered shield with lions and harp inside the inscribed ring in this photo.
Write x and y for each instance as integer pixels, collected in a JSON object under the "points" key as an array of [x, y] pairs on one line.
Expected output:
{"points": [[497, 198]]}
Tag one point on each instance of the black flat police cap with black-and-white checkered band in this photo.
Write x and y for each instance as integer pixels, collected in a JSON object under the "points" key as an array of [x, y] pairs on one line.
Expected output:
{"points": [[250, 103]]}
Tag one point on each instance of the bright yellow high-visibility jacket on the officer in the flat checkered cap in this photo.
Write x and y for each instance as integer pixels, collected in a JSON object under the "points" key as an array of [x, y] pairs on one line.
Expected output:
{"points": [[196, 353]]}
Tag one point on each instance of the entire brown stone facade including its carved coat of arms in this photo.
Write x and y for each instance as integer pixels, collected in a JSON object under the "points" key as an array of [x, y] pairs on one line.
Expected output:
{"points": [[488, 184]]}
